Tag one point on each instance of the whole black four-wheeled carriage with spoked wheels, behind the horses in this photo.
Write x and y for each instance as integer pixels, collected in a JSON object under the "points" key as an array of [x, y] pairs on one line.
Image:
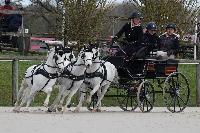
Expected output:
{"points": [[141, 79]]}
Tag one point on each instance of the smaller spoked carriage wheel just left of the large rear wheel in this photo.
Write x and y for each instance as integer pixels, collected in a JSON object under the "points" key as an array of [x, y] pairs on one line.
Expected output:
{"points": [[146, 96]]}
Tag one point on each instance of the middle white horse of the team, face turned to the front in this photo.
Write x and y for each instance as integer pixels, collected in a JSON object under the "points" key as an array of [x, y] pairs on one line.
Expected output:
{"points": [[72, 78]]}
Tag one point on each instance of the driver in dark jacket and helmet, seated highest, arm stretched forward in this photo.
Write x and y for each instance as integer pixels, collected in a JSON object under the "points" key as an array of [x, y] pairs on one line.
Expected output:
{"points": [[133, 32]]}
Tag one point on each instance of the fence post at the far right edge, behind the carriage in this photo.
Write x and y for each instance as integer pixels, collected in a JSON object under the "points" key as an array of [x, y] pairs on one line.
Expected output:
{"points": [[198, 85]]}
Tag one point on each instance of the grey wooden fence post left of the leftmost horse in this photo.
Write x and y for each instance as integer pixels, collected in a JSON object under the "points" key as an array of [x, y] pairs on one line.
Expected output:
{"points": [[14, 80]]}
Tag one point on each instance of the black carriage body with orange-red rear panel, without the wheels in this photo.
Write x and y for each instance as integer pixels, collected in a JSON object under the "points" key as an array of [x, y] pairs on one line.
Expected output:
{"points": [[143, 68]]}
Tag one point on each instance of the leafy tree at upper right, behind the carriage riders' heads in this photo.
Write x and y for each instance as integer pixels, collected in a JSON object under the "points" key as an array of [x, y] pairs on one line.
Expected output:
{"points": [[181, 12]]}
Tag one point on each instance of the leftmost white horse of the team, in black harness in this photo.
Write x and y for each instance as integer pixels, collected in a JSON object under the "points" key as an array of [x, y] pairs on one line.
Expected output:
{"points": [[43, 76]]}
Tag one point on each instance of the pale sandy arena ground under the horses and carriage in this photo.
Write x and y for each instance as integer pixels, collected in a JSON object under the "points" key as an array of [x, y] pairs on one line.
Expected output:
{"points": [[111, 120]]}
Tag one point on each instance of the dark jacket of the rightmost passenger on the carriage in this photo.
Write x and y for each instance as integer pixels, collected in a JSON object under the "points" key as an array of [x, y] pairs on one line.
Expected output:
{"points": [[170, 44]]}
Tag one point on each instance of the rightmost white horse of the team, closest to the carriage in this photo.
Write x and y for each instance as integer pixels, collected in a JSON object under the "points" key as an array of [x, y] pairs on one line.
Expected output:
{"points": [[98, 78]]}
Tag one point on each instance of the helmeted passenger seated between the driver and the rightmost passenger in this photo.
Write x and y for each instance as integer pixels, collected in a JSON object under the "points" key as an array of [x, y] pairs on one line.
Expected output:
{"points": [[150, 39]]}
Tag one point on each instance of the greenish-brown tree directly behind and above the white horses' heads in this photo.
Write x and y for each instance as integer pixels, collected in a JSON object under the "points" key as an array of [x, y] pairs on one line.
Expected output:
{"points": [[84, 19]]}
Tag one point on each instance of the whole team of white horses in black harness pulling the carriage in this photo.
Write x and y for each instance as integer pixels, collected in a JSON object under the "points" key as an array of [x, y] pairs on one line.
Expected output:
{"points": [[85, 72]]}
